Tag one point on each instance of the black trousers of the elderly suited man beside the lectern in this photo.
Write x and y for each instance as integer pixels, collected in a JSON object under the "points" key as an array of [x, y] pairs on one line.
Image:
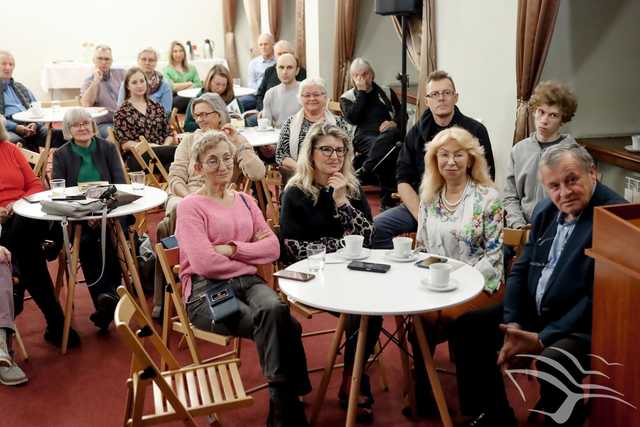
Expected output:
{"points": [[477, 340]]}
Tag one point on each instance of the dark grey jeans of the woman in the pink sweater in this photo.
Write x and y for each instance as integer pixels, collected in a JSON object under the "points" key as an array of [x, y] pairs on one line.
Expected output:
{"points": [[264, 318]]}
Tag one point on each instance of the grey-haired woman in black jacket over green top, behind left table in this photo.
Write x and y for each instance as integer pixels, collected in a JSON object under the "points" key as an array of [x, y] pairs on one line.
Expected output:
{"points": [[86, 158]]}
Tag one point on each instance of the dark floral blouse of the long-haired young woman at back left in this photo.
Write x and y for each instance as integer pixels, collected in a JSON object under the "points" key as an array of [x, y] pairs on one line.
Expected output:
{"points": [[130, 124]]}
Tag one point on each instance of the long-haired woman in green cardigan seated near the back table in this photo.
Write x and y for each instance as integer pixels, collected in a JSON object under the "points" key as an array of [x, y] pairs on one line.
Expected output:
{"points": [[180, 74]]}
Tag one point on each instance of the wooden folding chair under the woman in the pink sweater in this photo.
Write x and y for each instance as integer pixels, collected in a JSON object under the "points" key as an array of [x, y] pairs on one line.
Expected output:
{"points": [[169, 260]]}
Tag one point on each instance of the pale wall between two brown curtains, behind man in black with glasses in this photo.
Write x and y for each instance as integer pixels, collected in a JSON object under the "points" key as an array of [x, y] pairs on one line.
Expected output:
{"points": [[476, 45]]}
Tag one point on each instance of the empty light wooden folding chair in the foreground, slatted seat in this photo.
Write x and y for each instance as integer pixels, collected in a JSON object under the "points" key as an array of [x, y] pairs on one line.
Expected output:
{"points": [[180, 393]]}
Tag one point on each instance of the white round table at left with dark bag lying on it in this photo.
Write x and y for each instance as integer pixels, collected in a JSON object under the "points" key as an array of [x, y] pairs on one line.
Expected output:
{"points": [[151, 197]]}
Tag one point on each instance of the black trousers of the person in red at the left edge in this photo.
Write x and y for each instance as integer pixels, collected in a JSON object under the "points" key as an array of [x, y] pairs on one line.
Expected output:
{"points": [[24, 237]]}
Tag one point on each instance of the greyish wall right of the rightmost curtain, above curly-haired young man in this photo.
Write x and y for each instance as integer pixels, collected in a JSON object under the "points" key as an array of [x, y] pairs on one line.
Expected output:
{"points": [[596, 49]]}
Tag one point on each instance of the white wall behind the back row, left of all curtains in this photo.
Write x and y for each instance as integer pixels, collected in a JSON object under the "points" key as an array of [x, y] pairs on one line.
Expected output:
{"points": [[41, 30]]}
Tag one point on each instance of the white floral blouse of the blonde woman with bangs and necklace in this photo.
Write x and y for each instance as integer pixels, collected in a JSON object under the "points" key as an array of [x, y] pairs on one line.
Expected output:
{"points": [[472, 233]]}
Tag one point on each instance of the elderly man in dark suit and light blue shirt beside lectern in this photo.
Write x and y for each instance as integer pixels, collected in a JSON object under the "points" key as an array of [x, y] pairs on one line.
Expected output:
{"points": [[547, 308]]}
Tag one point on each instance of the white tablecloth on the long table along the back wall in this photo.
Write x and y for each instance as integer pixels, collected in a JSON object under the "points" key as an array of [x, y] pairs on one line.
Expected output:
{"points": [[70, 75]]}
